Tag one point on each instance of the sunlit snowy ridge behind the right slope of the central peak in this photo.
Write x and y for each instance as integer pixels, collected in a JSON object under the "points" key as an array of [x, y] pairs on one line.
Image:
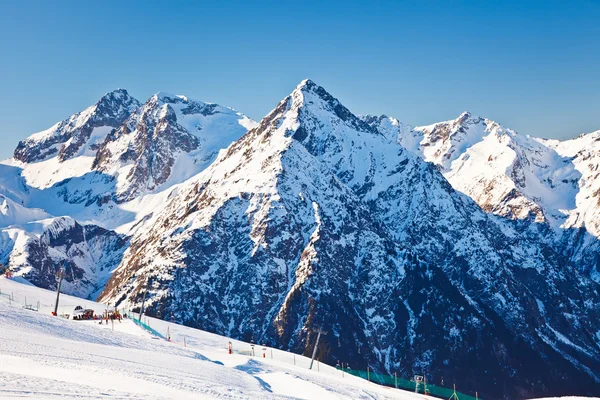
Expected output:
{"points": [[517, 176]]}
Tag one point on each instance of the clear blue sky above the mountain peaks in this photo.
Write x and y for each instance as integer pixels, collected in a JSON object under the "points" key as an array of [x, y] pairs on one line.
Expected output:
{"points": [[533, 66]]}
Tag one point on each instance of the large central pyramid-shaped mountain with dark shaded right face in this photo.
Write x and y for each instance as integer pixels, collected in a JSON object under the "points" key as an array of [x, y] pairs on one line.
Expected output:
{"points": [[315, 218]]}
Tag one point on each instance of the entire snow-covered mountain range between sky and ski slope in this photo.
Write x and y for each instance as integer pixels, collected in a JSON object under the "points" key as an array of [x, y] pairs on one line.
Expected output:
{"points": [[461, 250]]}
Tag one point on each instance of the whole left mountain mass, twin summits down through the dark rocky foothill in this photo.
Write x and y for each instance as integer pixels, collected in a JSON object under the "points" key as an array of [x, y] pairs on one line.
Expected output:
{"points": [[90, 167]]}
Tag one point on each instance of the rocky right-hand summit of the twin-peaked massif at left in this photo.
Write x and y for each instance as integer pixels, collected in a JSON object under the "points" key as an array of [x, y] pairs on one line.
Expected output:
{"points": [[167, 129]]}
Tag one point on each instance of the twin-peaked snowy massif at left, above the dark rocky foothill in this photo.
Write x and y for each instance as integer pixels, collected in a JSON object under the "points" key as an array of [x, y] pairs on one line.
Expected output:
{"points": [[155, 146]]}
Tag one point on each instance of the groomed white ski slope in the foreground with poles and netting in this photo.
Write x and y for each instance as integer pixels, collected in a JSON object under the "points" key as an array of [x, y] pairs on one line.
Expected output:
{"points": [[45, 357]]}
